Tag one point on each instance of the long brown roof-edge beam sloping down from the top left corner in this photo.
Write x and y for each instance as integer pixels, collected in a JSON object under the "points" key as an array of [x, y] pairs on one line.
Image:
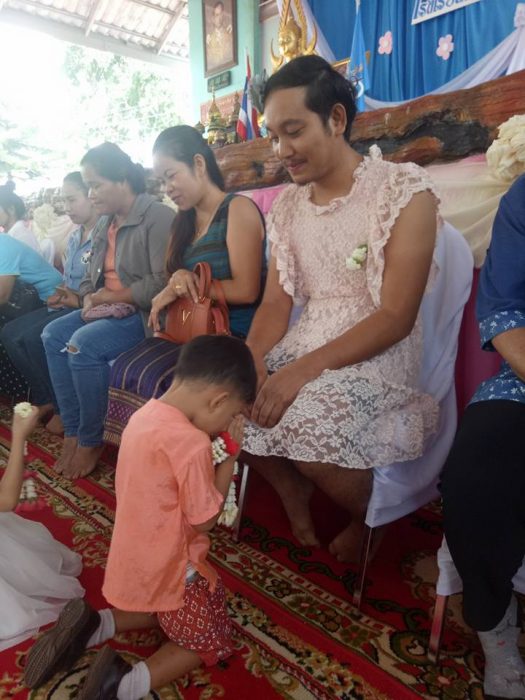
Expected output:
{"points": [[75, 35]]}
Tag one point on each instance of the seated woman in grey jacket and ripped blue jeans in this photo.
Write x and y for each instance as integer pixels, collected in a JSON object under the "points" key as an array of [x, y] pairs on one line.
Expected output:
{"points": [[125, 272]]}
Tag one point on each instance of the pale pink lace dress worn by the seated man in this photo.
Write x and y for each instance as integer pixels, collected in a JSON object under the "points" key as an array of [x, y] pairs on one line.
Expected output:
{"points": [[369, 414]]}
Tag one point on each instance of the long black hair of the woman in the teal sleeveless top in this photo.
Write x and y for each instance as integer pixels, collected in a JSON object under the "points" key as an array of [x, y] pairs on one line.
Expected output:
{"points": [[183, 143]]}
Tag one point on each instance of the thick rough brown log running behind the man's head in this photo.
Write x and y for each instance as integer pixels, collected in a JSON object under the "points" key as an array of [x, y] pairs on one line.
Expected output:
{"points": [[449, 126]]}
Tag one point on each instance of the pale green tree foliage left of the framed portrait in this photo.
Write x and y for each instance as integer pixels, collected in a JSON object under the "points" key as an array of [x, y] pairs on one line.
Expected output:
{"points": [[119, 99]]}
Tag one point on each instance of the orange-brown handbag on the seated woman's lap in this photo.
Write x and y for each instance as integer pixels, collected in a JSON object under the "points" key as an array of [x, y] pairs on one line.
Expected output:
{"points": [[186, 319]]}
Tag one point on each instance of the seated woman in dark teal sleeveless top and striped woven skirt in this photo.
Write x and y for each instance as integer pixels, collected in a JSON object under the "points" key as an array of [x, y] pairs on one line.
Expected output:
{"points": [[227, 231]]}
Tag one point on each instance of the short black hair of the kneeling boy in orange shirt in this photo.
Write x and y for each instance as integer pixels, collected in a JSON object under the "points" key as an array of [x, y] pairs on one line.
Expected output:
{"points": [[219, 359]]}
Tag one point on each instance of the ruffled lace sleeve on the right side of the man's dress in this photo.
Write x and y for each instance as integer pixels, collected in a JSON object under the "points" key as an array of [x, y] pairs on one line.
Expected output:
{"points": [[400, 184]]}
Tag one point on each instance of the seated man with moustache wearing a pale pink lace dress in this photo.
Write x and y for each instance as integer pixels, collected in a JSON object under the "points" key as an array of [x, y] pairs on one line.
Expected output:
{"points": [[353, 241]]}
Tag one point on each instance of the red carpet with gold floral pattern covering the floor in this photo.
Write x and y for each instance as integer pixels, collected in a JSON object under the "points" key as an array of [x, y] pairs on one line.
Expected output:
{"points": [[297, 636]]}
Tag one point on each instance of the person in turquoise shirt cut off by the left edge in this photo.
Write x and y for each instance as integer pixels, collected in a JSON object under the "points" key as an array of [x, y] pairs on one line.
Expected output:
{"points": [[26, 281]]}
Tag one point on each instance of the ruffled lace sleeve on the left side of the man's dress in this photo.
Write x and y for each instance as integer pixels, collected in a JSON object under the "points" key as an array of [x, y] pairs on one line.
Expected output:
{"points": [[279, 225]]}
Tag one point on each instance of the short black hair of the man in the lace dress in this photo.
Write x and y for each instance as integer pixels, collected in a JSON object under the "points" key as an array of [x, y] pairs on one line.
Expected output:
{"points": [[325, 87]]}
